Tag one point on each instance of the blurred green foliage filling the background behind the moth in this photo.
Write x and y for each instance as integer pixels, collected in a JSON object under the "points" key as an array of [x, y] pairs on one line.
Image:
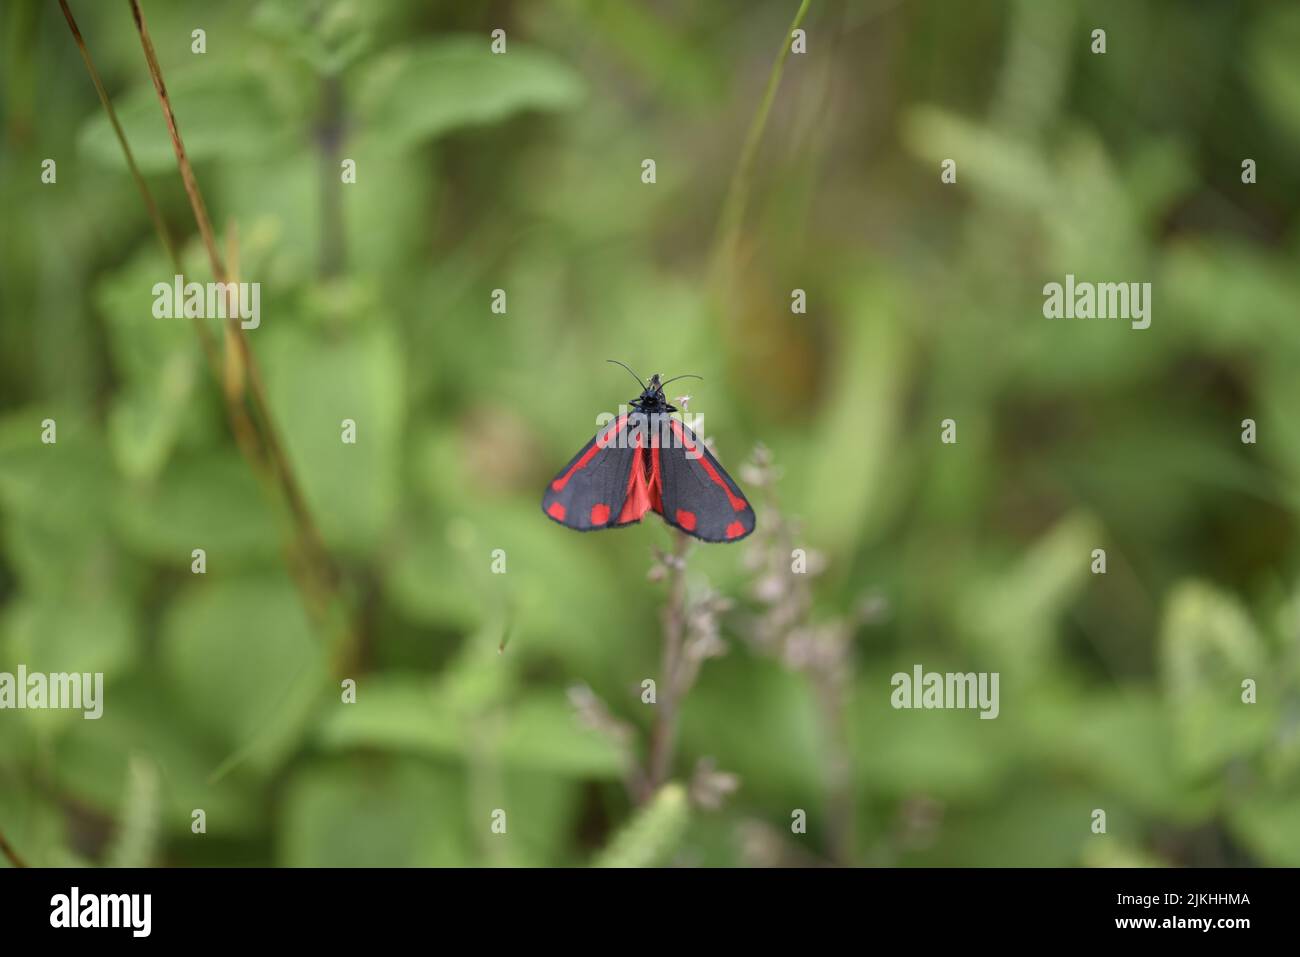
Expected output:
{"points": [[522, 172]]}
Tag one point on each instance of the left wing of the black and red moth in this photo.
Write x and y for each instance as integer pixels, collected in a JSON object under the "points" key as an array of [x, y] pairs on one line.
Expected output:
{"points": [[605, 486]]}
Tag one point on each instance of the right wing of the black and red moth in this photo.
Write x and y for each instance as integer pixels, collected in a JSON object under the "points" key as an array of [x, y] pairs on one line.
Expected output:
{"points": [[697, 496]]}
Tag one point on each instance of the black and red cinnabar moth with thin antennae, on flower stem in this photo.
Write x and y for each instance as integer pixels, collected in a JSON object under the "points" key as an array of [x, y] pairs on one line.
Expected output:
{"points": [[644, 461]]}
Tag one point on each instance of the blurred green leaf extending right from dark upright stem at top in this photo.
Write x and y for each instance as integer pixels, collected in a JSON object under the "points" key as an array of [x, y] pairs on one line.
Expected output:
{"points": [[423, 92]]}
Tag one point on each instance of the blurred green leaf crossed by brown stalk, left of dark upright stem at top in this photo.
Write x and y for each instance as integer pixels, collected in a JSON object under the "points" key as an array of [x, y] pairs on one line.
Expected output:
{"points": [[222, 115]]}
